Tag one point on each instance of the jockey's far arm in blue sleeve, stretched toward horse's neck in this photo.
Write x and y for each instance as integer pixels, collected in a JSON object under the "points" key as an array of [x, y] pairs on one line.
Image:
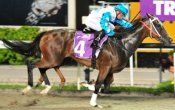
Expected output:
{"points": [[123, 23]]}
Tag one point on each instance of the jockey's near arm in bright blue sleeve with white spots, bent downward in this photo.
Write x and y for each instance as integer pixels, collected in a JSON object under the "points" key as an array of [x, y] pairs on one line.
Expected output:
{"points": [[104, 24]]}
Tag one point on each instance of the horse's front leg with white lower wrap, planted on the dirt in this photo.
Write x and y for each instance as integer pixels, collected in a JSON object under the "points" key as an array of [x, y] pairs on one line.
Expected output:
{"points": [[100, 80]]}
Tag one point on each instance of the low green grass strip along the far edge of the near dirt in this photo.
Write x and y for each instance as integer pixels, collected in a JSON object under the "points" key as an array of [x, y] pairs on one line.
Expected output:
{"points": [[159, 89]]}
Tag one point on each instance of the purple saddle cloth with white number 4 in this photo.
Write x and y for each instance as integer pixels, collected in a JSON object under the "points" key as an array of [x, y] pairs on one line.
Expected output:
{"points": [[82, 44]]}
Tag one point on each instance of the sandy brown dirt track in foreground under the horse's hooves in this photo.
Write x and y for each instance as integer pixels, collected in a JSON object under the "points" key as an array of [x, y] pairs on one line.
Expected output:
{"points": [[14, 100]]}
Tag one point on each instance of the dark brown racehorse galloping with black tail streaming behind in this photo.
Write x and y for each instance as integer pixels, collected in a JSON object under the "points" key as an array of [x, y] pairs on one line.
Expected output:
{"points": [[55, 45]]}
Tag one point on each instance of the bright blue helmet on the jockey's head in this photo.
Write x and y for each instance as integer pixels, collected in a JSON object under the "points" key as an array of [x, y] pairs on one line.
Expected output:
{"points": [[122, 8]]}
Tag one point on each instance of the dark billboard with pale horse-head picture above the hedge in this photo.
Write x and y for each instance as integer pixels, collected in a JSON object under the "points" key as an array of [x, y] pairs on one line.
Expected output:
{"points": [[34, 12]]}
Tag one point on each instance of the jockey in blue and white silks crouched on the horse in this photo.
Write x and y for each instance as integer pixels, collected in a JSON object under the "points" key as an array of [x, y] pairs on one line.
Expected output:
{"points": [[102, 20]]}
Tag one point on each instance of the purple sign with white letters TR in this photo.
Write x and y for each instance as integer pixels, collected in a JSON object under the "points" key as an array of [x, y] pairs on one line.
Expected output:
{"points": [[163, 9]]}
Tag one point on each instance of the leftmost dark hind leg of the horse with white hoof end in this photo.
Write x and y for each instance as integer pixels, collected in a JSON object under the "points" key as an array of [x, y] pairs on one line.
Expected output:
{"points": [[30, 77]]}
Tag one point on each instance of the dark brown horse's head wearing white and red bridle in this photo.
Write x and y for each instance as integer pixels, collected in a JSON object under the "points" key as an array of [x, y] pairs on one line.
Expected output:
{"points": [[156, 29]]}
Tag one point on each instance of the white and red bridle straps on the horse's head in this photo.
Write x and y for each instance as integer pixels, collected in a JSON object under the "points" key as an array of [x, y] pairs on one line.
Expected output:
{"points": [[152, 26]]}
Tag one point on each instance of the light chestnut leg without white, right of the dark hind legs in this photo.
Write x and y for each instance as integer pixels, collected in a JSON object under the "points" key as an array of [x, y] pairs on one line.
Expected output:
{"points": [[61, 77]]}
